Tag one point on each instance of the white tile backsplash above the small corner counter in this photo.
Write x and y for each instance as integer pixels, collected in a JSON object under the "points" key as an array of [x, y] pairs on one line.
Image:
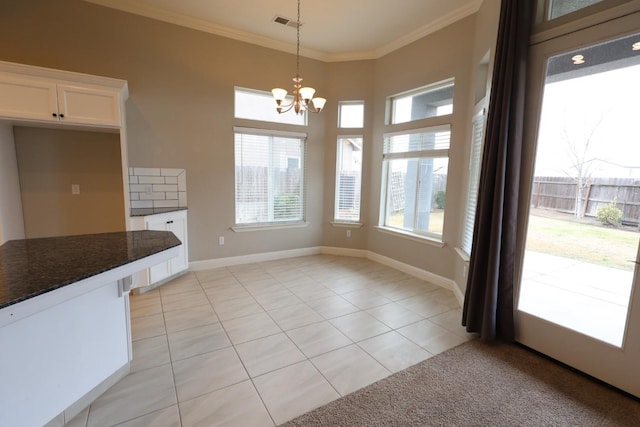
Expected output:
{"points": [[157, 188]]}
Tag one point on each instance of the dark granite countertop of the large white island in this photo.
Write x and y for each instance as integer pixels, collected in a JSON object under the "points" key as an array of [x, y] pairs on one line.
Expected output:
{"points": [[32, 267]]}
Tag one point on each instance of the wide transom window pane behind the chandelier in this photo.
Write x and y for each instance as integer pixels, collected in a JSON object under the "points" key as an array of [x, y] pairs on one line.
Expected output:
{"points": [[257, 105]]}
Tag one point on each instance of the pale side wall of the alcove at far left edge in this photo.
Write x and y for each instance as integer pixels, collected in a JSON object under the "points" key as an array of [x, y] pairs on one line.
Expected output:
{"points": [[11, 220]]}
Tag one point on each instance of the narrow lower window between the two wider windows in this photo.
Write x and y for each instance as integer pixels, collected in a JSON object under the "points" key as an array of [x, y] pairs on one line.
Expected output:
{"points": [[348, 179]]}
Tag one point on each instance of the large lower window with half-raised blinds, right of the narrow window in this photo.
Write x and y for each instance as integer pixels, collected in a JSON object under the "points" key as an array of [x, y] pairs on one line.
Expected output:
{"points": [[415, 165]]}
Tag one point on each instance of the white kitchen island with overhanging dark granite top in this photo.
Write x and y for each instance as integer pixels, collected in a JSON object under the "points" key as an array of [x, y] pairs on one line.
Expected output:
{"points": [[65, 333]]}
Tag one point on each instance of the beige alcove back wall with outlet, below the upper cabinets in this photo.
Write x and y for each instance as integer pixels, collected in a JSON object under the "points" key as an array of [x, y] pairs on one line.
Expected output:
{"points": [[49, 162]]}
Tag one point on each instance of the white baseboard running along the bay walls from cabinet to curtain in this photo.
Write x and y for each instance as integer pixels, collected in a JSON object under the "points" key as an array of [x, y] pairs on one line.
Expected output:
{"points": [[329, 250]]}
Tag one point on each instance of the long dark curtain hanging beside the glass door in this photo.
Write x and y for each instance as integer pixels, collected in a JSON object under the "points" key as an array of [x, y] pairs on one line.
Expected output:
{"points": [[489, 299]]}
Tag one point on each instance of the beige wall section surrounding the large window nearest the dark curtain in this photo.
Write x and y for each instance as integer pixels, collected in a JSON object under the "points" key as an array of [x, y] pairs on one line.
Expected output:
{"points": [[442, 55]]}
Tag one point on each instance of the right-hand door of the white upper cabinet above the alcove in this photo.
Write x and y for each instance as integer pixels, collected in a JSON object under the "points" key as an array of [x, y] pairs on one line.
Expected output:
{"points": [[87, 105]]}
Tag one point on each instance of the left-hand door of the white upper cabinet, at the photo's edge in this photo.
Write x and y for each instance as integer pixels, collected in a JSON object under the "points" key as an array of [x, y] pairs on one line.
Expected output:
{"points": [[28, 98]]}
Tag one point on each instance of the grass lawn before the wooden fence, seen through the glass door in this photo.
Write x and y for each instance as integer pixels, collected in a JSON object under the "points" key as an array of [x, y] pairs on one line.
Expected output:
{"points": [[591, 243]]}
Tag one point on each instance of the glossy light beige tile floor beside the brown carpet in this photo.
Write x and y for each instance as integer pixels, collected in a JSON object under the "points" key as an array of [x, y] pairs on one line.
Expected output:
{"points": [[259, 344]]}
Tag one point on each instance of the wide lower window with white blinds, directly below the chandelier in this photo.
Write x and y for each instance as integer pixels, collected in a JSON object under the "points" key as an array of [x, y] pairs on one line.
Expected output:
{"points": [[269, 176]]}
